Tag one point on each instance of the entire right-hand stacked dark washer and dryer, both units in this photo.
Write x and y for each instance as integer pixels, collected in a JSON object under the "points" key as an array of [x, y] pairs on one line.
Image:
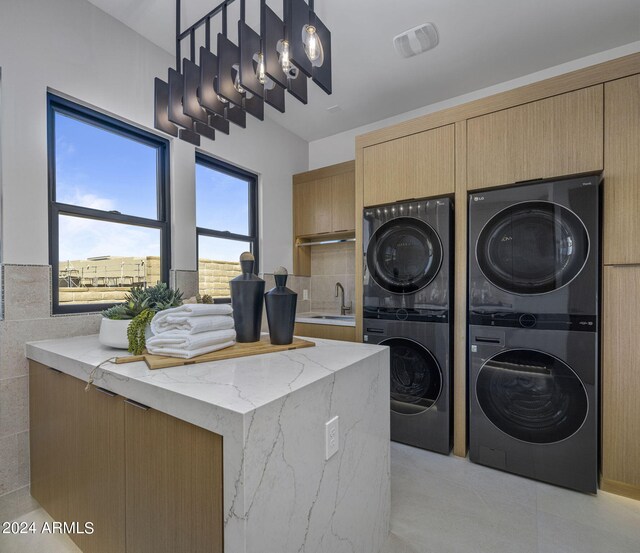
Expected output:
{"points": [[533, 330]]}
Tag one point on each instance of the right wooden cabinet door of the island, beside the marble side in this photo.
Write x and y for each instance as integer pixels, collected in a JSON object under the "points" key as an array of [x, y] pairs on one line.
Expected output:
{"points": [[174, 485]]}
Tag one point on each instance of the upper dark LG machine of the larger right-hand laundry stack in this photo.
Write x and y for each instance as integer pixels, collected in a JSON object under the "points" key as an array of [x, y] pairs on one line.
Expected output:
{"points": [[534, 254]]}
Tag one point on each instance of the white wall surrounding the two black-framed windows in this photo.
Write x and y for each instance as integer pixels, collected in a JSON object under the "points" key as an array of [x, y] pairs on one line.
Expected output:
{"points": [[73, 48]]}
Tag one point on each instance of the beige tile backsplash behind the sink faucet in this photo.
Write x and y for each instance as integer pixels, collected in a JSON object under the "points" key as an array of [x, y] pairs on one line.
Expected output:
{"points": [[331, 263]]}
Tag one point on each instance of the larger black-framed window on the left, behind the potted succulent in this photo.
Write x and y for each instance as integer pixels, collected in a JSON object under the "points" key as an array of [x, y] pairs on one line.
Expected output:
{"points": [[109, 214]]}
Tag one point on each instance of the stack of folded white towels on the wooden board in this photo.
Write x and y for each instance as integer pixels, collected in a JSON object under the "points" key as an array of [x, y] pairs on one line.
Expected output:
{"points": [[191, 330]]}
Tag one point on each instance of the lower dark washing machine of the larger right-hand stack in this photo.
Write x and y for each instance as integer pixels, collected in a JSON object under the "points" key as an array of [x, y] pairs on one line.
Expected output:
{"points": [[533, 404]]}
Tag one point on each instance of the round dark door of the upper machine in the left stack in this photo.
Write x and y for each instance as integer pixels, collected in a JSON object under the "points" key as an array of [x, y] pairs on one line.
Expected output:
{"points": [[404, 255]]}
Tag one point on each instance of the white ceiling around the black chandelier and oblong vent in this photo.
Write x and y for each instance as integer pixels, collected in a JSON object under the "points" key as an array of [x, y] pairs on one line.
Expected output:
{"points": [[482, 42]]}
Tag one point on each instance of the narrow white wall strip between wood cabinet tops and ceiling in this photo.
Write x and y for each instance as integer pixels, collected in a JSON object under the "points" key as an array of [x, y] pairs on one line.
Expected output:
{"points": [[341, 147]]}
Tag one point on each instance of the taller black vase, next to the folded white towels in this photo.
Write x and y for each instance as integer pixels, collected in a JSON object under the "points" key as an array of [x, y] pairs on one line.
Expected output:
{"points": [[247, 292]]}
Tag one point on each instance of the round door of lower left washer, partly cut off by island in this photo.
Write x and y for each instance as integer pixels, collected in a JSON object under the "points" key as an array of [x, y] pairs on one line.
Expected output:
{"points": [[416, 378]]}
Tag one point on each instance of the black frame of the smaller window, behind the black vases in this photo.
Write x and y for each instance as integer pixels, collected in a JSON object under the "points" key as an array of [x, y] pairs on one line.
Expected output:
{"points": [[254, 230]]}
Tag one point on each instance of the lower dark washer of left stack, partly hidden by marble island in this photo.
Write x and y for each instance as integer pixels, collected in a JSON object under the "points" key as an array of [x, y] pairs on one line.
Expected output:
{"points": [[420, 369]]}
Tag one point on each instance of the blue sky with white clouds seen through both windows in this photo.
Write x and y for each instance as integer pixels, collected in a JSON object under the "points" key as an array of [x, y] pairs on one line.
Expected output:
{"points": [[102, 170]]}
